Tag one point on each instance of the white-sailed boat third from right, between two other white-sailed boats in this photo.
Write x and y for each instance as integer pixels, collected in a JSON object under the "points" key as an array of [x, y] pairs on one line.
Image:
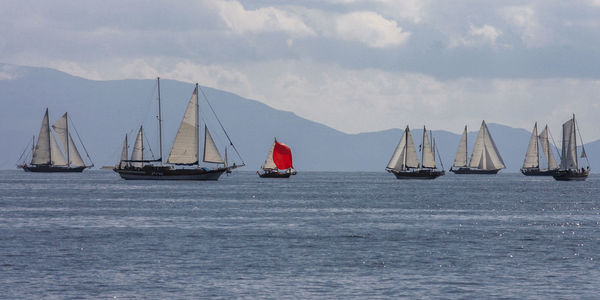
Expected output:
{"points": [[485, 158]]}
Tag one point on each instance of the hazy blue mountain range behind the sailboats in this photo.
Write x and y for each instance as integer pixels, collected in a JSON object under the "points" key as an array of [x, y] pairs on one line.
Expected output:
{"points": [[103, 111]]}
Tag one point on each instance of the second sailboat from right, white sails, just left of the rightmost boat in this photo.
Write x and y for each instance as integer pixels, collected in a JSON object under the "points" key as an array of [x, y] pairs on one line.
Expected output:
{"points": [[531, 165]]}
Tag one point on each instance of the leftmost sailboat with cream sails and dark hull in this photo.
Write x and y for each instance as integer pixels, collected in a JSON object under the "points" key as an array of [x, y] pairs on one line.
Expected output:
{"points": [[46, 154]]}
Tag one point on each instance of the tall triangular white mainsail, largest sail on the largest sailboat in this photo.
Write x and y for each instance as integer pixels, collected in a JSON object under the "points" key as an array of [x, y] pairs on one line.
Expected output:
{"points": [[185, 147]]}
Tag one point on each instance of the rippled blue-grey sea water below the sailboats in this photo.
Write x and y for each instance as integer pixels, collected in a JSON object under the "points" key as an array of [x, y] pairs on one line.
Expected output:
{"points": [[316, 235]]}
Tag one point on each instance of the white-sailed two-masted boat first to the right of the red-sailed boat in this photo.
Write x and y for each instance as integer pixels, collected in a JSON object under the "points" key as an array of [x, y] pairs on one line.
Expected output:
{"points": [[404, 163]]}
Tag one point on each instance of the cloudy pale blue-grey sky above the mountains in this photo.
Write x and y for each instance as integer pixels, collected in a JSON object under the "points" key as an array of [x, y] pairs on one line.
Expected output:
{"points": [[354, 65]]}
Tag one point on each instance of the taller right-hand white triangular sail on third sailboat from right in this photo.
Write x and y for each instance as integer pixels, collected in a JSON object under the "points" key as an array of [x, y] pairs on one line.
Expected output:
{"points": [[485, 155]]}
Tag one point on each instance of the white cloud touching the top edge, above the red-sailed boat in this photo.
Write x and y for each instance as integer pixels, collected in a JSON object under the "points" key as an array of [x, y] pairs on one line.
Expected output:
{"points": [[267, 19]]}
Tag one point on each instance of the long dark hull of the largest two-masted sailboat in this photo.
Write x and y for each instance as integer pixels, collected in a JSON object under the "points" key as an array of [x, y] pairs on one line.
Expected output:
{"points": [[168, 173]]}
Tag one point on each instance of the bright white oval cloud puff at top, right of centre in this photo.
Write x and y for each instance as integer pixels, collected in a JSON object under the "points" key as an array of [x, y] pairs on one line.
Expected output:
{"points": [[370, 28]]}
